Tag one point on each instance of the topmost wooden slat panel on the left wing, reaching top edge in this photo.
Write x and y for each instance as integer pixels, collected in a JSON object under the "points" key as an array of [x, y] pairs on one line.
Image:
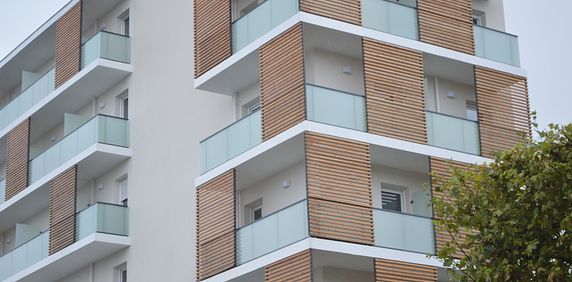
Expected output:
{"points": [[68, 45]]}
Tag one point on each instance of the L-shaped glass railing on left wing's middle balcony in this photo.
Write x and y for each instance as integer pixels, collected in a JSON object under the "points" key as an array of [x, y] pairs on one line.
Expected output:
{"points": [[100, 129]]}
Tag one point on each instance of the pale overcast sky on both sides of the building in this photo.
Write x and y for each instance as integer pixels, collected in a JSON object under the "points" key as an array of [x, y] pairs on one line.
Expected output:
{"points": [[545, 38]]}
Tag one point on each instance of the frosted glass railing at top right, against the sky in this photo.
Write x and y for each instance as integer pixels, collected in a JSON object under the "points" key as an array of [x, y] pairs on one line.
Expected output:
{"points": [[496, 45]]}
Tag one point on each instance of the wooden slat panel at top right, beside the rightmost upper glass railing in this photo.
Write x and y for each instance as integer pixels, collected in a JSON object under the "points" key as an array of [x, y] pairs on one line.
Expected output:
{"points": [[447, 23]]}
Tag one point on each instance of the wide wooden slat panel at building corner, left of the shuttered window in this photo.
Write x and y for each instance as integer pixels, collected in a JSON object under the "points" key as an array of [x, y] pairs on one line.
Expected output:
{"points": [[338, 173]]}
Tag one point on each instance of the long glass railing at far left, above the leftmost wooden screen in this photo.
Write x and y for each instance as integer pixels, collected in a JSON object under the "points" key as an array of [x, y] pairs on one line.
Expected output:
{"points": [[27, 99]]}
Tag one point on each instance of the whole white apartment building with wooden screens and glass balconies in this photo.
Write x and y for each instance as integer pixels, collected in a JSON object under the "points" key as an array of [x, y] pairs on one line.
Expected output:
{"points": [[241, 140]]}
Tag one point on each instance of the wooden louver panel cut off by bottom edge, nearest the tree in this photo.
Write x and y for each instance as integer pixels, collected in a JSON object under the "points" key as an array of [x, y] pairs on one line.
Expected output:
{"points": [[397, 271]]}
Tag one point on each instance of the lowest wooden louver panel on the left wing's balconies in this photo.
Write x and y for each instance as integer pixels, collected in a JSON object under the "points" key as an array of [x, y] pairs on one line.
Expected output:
{"points": [[63, 210]]}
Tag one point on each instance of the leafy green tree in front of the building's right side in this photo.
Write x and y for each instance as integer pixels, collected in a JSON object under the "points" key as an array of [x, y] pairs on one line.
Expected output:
{"points": [[517, 210]]}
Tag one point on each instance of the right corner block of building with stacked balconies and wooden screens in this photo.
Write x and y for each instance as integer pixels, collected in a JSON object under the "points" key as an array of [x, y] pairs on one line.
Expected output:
{"points": [[346, 111]]}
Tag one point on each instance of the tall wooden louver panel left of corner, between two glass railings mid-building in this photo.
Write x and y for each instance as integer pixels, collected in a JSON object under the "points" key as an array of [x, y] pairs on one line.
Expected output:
{"points": [[282, 83]]}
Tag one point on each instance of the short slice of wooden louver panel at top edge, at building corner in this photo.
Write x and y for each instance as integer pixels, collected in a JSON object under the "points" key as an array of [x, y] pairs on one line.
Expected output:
{"points": [[343, 10]]}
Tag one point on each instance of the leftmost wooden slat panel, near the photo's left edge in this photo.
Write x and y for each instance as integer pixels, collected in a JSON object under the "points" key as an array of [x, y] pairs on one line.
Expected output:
{"points": [[17, 153]]}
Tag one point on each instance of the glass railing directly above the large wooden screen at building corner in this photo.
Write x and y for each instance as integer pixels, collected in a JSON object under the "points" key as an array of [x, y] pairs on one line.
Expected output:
{"points": [[335, 107]]}
